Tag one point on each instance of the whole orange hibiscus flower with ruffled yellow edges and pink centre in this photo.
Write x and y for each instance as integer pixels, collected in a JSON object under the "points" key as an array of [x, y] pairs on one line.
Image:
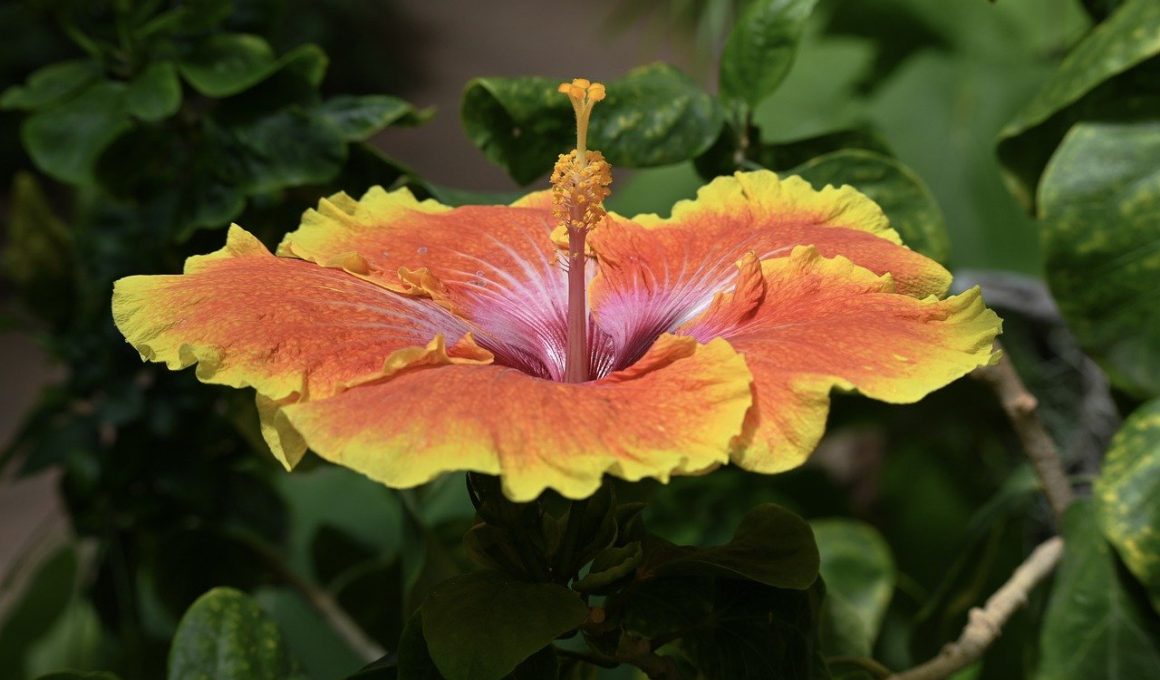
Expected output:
{"points": [[407, 339]]}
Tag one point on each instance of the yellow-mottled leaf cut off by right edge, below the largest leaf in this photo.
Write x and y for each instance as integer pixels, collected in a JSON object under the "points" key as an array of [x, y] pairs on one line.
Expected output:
{"points": [[1127, 493]]}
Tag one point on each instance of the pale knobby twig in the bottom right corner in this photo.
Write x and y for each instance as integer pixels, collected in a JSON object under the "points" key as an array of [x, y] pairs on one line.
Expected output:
{"points": [[985, 625]]}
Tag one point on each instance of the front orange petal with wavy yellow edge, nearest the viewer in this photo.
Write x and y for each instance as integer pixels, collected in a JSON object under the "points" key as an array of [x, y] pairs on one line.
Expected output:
{"points": [[675, 413]]}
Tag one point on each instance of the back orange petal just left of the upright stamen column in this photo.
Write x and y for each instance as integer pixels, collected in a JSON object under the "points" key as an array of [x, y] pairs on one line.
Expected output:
{"points": [[494, 265]]}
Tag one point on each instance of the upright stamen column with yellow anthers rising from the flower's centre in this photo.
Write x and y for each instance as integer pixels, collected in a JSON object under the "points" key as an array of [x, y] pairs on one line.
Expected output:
{"points": [[581, 184]]}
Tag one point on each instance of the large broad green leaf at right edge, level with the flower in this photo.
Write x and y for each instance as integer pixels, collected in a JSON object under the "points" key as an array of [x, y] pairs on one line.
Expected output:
{"points": [[1099, 198]]}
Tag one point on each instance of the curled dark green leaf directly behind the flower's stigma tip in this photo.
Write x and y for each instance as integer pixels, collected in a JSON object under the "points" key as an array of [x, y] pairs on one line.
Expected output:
{"points": [[655, 115]]}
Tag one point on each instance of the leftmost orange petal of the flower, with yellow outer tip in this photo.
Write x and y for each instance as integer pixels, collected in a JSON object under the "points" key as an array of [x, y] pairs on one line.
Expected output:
{"points": [[291, 329]]}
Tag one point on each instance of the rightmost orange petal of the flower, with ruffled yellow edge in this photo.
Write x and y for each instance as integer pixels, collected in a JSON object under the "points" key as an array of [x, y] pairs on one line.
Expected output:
{"points": [[828, 323]]}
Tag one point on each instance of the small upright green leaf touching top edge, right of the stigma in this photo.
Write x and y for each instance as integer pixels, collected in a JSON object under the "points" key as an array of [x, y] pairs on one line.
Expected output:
{"points": [[762, 47]]}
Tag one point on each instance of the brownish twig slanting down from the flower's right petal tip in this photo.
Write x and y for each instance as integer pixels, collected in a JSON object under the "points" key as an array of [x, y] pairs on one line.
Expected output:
{"points": [[1023, 410]]}
